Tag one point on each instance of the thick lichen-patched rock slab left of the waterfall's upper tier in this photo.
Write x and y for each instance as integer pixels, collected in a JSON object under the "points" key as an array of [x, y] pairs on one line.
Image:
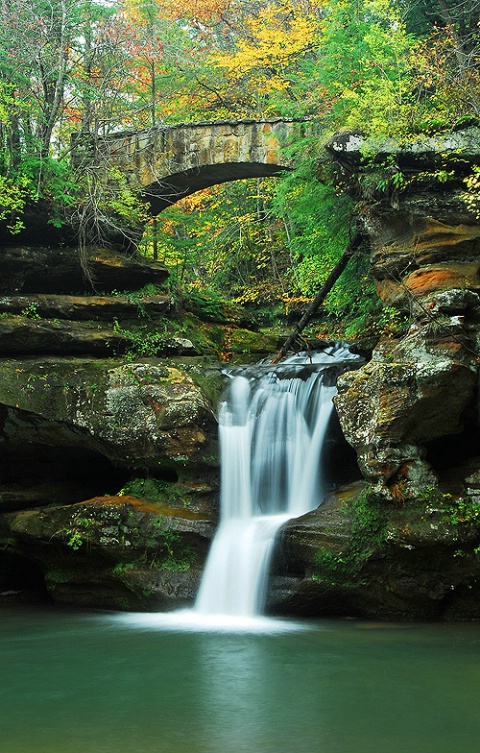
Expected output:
{"points": [[139, 415]]}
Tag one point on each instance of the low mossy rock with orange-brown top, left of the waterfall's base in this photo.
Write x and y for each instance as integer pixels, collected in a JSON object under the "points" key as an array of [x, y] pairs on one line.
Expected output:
{"points": [[113, 552]]}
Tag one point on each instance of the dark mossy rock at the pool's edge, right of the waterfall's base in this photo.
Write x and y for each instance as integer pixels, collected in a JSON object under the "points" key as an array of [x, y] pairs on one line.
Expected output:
{"points": [[356, 556]]}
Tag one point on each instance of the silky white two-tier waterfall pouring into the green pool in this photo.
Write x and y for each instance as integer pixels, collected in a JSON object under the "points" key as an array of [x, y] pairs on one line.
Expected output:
{"points": [[272, 425]]}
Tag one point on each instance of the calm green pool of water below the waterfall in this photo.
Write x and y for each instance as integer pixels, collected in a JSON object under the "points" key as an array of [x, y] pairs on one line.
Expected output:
{"points": [[87, 683]]}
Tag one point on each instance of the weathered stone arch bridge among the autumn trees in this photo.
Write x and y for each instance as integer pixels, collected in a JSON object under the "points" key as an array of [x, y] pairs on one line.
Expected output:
{"points": [[167, 163]]}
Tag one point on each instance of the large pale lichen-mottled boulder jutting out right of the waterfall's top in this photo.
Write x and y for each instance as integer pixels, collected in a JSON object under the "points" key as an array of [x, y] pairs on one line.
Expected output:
{"points": [[390, 409]]}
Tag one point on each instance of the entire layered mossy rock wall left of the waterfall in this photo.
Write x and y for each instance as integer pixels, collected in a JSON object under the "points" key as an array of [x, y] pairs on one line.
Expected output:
{"points": [[108, 481]]}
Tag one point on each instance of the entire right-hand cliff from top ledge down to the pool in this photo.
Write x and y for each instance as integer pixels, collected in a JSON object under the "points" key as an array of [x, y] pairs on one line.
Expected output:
{"points": [[405, 544]]}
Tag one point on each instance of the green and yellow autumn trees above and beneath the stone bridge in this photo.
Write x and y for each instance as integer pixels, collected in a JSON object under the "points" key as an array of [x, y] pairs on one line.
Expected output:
{"points": [[77, 70]]}
